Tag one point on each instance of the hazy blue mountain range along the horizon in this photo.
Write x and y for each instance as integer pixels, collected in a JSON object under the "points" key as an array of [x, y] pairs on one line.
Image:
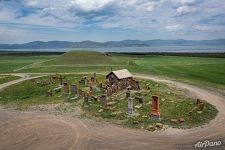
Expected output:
{"points": [[124, 43]]}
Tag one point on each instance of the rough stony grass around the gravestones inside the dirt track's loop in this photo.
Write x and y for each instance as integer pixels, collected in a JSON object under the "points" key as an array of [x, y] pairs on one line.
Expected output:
{"points": [[173, 104]]}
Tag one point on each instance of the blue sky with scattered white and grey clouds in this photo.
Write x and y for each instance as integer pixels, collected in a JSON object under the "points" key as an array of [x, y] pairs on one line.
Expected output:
{"points": [[110, 20]]}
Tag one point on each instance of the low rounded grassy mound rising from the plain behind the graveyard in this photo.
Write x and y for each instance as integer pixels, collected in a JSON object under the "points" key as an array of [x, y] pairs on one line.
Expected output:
{"points": [[86, 58]]}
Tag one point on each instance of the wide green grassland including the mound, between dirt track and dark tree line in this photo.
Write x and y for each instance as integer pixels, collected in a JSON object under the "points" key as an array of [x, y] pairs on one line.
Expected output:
{"points": [[201, 71]]}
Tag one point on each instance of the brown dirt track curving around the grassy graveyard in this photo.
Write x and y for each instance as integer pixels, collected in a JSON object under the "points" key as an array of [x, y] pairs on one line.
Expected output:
{"points": [[39, 130]]}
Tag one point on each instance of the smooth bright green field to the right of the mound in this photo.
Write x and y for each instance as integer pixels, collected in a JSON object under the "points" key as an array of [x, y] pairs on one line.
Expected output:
{"points": [[195, 70]]}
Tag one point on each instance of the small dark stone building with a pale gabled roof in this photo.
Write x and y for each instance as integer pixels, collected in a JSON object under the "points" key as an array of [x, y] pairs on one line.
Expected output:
{"points": [[119, 76]]}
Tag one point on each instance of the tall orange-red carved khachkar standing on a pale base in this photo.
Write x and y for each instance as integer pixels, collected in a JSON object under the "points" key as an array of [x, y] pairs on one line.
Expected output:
{"points": [[155, 114]]}
